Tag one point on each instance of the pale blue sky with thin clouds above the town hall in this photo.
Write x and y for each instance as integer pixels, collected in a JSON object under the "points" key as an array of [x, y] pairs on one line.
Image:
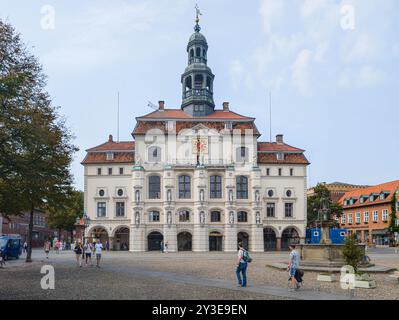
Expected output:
{"points": [[332, 68]]}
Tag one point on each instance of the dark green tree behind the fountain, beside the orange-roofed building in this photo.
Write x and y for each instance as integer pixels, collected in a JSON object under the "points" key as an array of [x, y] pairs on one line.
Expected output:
{"points": [[314, 203]]}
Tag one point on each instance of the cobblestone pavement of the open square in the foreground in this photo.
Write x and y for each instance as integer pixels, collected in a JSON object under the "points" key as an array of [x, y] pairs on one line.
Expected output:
{"points": [[183, 275]]}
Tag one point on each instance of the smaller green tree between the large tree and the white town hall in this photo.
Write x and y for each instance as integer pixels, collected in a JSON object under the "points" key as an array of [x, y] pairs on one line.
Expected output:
{"points": [[63, 216]]}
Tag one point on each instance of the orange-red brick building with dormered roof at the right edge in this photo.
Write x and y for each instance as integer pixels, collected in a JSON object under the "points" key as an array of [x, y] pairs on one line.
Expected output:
{"points": [[367, 212]]}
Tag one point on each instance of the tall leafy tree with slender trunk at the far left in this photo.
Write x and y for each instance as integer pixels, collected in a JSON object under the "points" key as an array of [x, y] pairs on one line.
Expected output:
{"points": [[35, 144]]}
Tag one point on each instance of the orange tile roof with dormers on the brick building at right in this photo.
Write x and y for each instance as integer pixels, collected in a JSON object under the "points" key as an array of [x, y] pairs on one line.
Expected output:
{"points": [[389, 186]]}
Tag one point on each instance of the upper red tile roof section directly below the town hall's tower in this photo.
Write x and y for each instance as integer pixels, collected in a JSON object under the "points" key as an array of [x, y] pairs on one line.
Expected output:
{"points": [[180, 114]]}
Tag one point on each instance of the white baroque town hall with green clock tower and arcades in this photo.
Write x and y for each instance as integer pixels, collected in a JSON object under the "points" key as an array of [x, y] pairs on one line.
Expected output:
{"points": [[196, 178]]}
